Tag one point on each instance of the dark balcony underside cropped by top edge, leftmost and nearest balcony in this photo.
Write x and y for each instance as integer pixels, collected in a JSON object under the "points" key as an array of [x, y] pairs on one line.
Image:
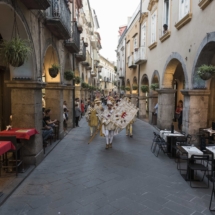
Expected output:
{"points": [[37, 4]]}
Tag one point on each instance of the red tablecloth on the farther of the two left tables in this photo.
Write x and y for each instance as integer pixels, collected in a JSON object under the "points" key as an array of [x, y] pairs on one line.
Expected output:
{"points": [[20, 133]]}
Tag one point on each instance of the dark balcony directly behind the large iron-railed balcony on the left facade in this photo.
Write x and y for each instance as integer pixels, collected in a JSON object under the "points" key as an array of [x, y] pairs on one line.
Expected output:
{"points": [[73, 44]]}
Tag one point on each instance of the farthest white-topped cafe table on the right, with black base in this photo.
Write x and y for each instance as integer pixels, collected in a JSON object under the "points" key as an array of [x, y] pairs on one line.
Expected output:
{"points": [[170, 140]]}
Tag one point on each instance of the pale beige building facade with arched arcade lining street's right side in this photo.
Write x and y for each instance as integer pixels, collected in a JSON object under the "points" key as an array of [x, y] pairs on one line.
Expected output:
{"points": [[174, 41]]}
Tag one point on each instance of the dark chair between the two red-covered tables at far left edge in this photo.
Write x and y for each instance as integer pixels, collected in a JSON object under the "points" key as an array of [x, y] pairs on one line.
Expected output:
{"points": [[17, 152]]}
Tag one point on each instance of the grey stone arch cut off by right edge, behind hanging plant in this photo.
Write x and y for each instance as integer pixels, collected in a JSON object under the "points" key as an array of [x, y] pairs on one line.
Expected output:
{"points": [[204, 55]]}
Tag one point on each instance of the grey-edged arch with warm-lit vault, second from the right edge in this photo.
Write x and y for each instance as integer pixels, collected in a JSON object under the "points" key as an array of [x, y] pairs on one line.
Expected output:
{"points": [[174, 60]]}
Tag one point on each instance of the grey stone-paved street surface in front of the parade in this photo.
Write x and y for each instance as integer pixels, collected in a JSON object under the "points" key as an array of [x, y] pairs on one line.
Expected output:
{"points": [[77, 178]]}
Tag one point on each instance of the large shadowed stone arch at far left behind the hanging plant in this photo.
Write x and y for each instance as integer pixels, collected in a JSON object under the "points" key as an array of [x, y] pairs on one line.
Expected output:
{"points": [[29, 68]]}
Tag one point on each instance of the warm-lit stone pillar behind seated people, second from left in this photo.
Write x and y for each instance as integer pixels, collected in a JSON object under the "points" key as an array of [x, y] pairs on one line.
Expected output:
{"points": [[54, 101]]}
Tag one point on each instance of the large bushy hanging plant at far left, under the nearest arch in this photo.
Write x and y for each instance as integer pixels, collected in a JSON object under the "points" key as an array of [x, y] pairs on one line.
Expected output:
{"points": [[15, 51]]}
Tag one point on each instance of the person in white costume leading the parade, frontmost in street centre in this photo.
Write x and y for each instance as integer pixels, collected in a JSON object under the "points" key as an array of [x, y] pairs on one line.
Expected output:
{"points": [[108, 127]]}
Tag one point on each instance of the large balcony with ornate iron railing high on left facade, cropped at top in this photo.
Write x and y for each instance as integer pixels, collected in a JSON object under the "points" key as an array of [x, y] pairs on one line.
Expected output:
{"points": [[57, 19]]}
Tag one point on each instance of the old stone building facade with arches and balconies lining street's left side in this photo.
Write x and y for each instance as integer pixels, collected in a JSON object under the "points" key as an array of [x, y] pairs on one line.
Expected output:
{"points": [[60, 33]]}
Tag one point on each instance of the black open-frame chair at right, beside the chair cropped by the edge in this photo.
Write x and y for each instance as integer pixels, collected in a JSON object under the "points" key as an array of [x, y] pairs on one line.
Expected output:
{"points": [[198, 163]]}
